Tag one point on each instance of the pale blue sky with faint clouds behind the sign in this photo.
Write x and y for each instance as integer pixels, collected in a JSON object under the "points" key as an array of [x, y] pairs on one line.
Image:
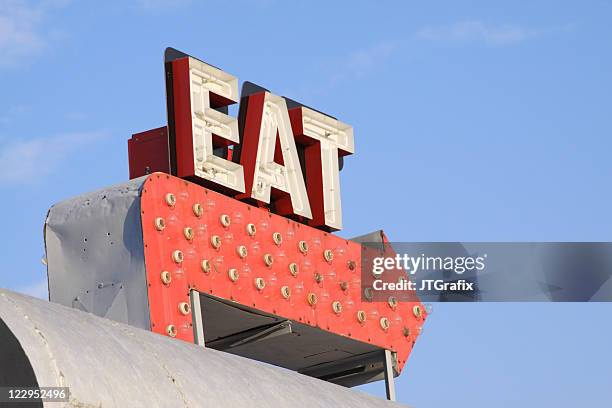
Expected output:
{"points": [[474, 121]]}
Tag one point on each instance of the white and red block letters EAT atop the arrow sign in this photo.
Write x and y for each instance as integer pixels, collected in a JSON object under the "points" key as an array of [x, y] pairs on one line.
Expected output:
{"points": [[267, 141]]}
